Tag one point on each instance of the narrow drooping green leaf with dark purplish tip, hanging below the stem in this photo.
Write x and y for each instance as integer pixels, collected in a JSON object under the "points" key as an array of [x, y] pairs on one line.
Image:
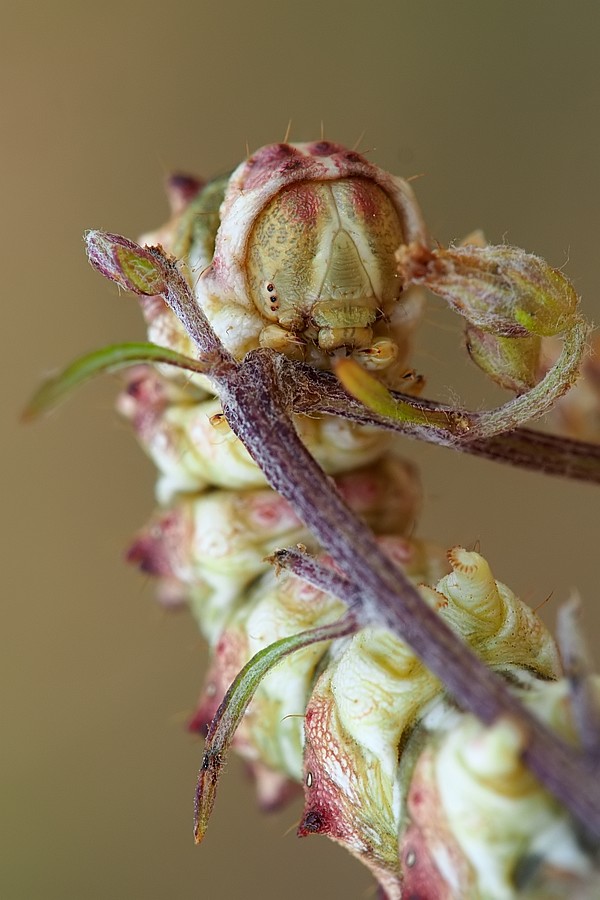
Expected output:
{"points": [[234, 705]]}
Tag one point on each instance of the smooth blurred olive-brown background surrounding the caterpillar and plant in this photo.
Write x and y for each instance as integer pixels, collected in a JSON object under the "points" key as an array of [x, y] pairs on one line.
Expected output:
{"points": [[497, 105]]}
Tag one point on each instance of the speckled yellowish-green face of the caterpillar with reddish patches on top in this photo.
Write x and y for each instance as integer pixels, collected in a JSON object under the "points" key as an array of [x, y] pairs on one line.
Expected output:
{"points": [[320, 260]]}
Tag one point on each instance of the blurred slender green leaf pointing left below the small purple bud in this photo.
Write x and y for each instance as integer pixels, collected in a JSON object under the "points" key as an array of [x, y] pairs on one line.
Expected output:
{"points": [[108, 359]]}
